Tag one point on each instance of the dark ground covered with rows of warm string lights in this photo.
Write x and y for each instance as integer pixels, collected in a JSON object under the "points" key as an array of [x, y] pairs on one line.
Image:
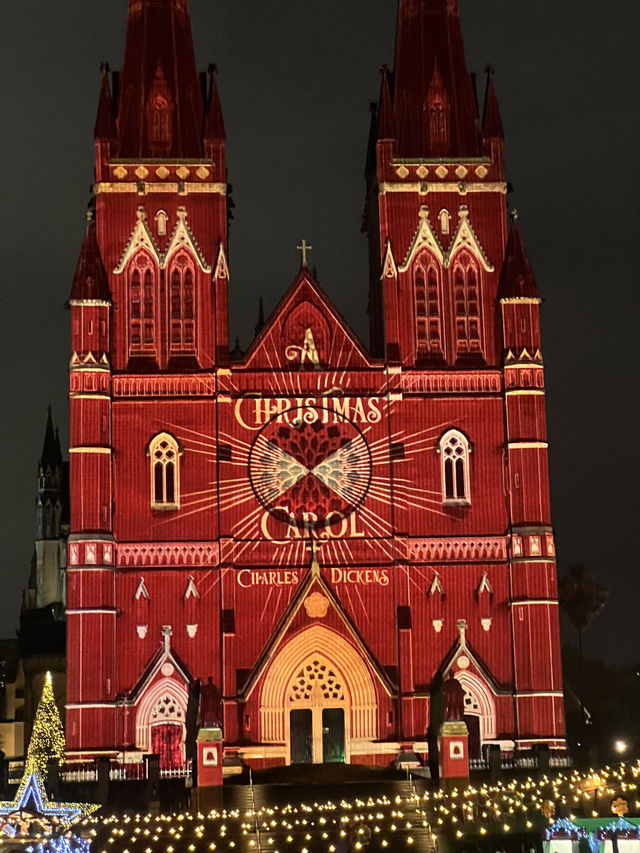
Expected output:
{"points": [[514, 811]]}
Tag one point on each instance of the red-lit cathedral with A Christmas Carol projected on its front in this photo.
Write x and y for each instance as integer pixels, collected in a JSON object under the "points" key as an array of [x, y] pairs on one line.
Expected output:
{"points": [[323, 529]]}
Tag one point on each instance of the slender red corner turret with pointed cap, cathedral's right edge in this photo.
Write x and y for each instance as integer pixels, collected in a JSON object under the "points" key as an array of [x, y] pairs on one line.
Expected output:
{"points": [[532, 552]]}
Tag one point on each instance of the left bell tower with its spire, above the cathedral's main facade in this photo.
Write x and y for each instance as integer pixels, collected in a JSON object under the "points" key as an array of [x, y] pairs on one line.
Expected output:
{"points": [[160, 195]]}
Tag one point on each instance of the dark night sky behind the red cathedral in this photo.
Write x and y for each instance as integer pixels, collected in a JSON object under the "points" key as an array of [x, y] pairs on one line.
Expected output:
{"points": [[296, 77]]}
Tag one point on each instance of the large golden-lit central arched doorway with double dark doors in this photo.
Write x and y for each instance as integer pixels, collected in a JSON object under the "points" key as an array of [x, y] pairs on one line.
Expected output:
{"points": [[318, 698]]}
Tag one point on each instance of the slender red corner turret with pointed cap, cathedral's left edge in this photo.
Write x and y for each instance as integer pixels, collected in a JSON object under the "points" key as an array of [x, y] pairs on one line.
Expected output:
{"points": [[90, 590]]}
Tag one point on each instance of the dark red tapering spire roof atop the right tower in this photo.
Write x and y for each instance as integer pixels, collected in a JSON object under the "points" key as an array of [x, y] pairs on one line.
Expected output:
{"points": [[429, 35]]}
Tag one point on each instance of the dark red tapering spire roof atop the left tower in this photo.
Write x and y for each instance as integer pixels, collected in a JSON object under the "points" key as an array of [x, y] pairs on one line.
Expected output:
{"points": [[159, 36]]}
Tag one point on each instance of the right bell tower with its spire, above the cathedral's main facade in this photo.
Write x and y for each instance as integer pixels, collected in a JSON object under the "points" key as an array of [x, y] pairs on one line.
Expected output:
{"points": [[436, 213]]}
